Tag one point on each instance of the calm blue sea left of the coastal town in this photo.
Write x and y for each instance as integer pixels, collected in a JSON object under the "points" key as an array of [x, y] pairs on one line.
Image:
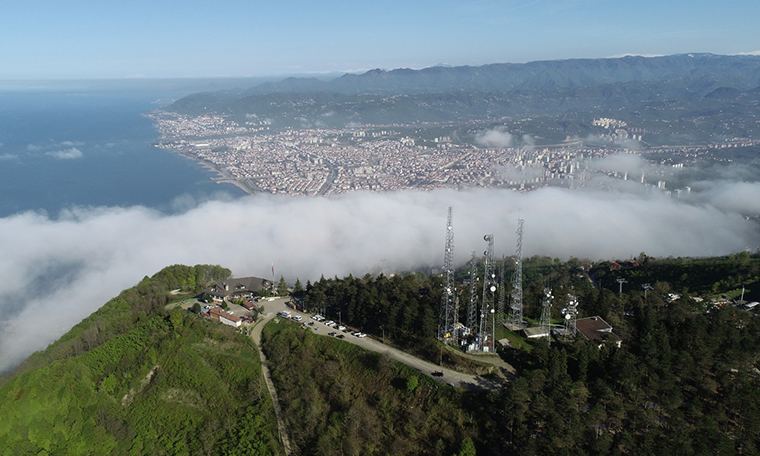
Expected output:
{"points": [[87, 144]]}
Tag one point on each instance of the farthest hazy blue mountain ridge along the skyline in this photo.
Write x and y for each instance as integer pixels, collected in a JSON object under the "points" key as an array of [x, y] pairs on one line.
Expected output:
{"points": [[693, 69]]}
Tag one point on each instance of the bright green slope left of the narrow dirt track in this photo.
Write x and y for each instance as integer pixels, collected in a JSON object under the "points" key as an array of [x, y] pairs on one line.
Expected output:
{"points": [[134, 378]]}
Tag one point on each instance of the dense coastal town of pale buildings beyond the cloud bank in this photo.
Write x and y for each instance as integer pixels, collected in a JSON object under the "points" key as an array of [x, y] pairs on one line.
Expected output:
{"points": [[325, 161]]}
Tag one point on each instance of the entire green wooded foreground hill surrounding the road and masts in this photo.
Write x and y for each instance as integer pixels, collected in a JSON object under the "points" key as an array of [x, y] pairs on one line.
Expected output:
{"points": [[136, 378]]}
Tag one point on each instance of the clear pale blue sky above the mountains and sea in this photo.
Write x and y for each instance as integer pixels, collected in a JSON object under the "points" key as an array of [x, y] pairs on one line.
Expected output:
{"points": [[47, 39]]}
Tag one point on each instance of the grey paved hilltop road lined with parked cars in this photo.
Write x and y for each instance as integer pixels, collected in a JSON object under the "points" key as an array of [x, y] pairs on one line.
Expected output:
{"points": [[450, 376]]}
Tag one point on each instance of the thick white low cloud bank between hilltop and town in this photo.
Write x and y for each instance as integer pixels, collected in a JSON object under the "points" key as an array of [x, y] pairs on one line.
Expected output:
{"points": [[57, 271]]}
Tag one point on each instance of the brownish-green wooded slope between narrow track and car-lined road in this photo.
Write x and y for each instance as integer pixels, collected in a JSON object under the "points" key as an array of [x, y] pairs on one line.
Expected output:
{"points": [[338, 398]]}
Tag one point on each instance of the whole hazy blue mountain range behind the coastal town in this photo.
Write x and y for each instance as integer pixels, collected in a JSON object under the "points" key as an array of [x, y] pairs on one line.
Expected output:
{"points": [[664, 87]]}
